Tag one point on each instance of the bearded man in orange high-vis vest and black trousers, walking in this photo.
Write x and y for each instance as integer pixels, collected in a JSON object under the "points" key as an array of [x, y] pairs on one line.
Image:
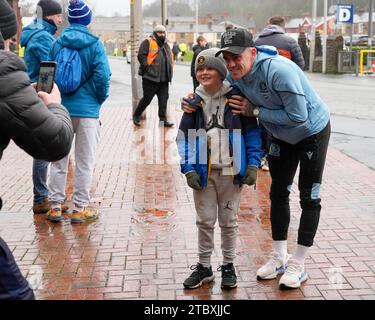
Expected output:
{"points": [[156, 68]]}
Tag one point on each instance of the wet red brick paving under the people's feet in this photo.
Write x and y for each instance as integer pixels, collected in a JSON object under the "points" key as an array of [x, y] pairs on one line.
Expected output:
{"points": [[145, 239]]}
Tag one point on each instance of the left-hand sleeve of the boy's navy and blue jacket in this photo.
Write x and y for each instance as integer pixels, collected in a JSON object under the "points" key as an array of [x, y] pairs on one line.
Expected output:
{"points": [[186, 148]]}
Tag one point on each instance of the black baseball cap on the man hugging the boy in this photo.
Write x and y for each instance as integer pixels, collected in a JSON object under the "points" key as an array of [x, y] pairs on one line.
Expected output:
{"points": [[236, 41]]}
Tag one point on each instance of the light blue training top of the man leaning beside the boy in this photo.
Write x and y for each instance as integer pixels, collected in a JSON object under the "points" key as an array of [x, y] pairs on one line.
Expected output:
{"points": [[290, 108]]}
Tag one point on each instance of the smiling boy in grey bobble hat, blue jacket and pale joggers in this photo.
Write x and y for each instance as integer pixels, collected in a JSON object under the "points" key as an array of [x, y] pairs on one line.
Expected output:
{"points": [[231, 147]]}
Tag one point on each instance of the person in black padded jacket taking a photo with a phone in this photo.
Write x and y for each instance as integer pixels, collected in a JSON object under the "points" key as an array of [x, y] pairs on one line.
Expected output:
{"points": [[37, 123]]}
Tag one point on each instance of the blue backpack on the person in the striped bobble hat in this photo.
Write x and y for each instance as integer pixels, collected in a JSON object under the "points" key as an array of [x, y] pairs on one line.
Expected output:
{"points": [[68, 71]]}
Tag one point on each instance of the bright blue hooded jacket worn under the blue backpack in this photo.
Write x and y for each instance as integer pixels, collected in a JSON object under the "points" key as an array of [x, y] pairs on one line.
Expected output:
{"points": [[96, 74]]}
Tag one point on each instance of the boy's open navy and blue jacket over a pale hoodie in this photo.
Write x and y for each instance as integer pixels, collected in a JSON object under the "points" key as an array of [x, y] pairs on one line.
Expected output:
{"points": [[243, 133]]}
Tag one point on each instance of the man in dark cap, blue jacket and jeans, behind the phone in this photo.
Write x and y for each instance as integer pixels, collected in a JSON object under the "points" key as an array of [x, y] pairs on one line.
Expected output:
{"points": [[37, 38]]}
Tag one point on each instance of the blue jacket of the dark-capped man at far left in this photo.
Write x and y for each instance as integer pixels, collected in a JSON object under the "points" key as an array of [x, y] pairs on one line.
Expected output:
{"points": [[37, 38]]}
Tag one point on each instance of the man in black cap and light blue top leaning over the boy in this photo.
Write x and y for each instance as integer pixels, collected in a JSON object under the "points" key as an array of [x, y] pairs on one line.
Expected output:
{"points": [[278, 94]]}
